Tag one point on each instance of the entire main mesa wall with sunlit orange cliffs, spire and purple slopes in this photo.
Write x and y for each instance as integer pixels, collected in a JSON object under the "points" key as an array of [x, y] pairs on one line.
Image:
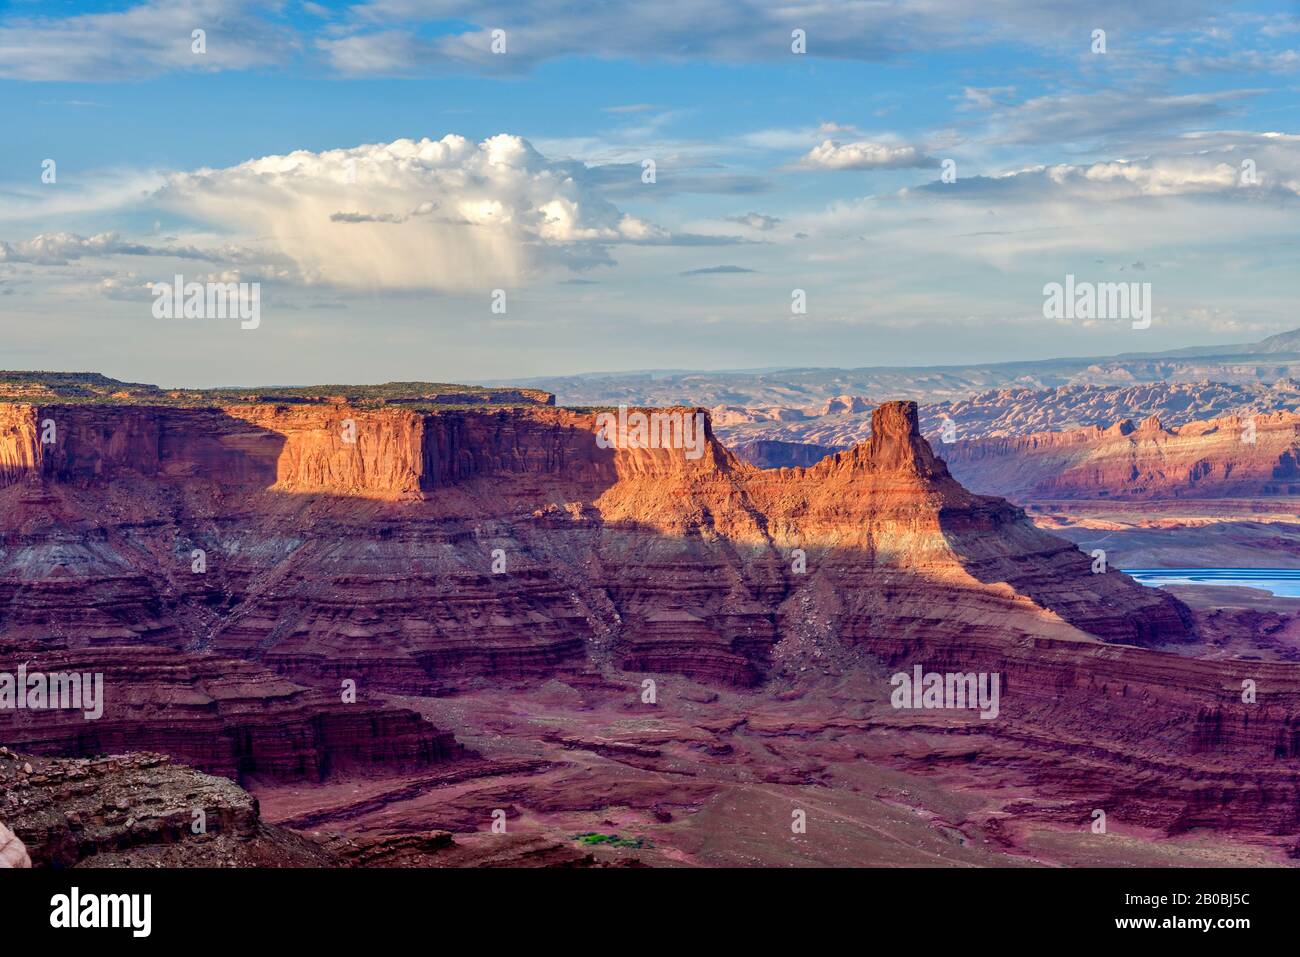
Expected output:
{"points": [[453, 547]]}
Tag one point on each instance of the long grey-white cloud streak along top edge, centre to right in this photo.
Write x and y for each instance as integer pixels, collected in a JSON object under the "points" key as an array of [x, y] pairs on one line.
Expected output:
{"points": [[720, 31]]}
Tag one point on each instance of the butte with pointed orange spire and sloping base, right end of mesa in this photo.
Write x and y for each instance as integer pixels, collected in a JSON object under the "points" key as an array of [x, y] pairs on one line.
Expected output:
{"points": [[909, 551]]}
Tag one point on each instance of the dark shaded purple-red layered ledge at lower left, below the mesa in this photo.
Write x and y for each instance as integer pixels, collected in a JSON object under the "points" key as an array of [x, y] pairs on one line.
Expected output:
{"points": [[219, 714]]}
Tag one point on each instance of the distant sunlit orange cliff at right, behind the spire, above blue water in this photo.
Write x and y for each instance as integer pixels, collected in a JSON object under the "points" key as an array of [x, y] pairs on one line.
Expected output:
{"points": [[1234, 457]]}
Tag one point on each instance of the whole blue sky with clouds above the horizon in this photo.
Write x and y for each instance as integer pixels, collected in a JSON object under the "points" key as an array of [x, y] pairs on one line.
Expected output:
{"points": [[522, 171]]}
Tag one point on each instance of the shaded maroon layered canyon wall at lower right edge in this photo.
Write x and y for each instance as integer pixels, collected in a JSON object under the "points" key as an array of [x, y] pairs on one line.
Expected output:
{"points": [[1156, 741]]}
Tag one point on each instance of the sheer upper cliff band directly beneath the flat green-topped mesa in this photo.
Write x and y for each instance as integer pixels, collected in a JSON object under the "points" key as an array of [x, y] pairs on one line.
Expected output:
{"points": [[320, 448]]}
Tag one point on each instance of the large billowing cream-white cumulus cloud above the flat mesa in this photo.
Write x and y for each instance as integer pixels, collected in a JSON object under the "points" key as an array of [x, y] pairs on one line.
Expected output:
{"points": [[447, 214]]}
